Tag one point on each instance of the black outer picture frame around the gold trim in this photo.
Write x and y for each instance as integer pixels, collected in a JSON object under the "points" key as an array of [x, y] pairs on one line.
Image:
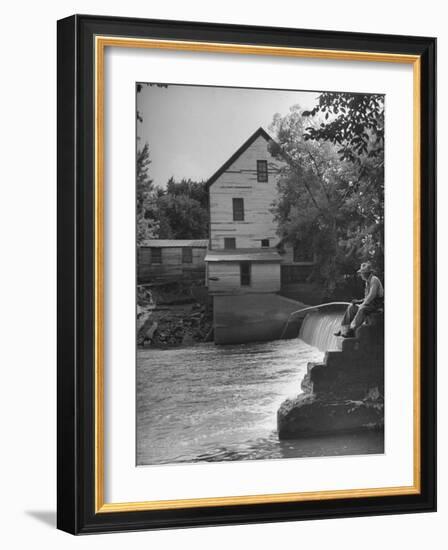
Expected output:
{"points": [[76, 259]]}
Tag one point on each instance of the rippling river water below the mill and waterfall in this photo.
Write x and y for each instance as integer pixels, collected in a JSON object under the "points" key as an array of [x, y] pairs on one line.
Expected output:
{"points": [[214, 403]]}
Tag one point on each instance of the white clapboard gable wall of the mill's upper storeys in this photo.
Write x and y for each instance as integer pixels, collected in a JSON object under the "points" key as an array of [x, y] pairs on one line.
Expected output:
{"points": [[240, 181]]}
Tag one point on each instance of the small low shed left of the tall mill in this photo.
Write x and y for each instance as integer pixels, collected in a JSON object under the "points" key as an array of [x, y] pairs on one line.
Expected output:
{"points": [[165, 259]]}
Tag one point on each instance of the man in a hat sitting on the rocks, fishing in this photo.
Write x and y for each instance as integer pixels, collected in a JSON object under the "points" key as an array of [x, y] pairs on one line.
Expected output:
{"points": [[358, 310]]}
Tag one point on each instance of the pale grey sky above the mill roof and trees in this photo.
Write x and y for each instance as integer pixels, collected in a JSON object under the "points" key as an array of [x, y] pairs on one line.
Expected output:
{"points": [[193, 130]]}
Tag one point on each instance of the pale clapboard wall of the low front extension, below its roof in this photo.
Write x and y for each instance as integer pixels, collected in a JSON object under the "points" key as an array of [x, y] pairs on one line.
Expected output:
{"points": [[265, 277]]}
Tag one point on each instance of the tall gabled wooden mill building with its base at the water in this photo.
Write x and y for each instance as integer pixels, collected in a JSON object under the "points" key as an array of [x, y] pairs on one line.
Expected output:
{"points": [[246, 260]]}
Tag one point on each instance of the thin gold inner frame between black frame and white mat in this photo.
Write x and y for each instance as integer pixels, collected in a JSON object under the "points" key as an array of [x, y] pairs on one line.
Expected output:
{"points": [[101, 42]]}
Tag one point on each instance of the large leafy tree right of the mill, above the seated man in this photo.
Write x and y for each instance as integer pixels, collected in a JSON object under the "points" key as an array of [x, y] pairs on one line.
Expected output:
{"points": [[329, 199]]}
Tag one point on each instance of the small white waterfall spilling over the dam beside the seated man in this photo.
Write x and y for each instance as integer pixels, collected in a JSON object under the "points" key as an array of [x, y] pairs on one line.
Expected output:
{"points": [[318, 329]]}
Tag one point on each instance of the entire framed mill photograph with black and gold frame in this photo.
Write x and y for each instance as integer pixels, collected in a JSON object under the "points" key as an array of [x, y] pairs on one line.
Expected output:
{"points": [[246, 274]]}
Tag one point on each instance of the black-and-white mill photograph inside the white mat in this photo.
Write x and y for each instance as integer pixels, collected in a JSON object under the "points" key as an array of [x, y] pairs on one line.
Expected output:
{"points": [[260, 263]]}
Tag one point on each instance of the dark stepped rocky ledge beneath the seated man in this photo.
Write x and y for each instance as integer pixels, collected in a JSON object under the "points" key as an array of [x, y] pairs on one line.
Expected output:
{"points": [[343, 393]]}
